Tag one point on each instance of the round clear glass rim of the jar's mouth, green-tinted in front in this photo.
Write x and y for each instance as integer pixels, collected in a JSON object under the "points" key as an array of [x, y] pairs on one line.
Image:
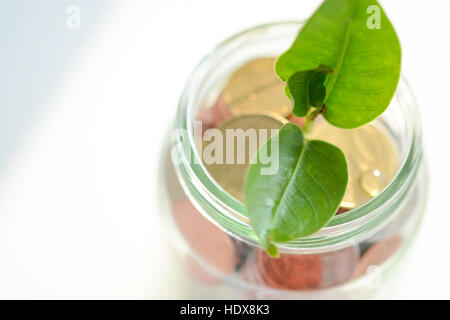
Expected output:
{"points": [[230, 214]]}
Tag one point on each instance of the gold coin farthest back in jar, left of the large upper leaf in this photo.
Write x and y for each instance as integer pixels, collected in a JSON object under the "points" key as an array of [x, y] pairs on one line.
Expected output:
{"points": [[256, 88]]}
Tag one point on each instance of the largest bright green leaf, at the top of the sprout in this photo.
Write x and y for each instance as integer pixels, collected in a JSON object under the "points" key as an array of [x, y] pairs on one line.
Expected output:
{"points": [[365, 61]]}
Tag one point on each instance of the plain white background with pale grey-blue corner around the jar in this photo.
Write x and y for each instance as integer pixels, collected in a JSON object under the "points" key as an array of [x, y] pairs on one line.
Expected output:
{"points": [[84, 113]]}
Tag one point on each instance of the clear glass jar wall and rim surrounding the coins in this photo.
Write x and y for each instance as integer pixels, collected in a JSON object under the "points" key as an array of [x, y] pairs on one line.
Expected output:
{"points": [[352, 257]]}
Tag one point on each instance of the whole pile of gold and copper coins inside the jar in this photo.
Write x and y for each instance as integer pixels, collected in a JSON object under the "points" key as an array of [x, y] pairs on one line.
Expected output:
{"points": [[254, 97]]}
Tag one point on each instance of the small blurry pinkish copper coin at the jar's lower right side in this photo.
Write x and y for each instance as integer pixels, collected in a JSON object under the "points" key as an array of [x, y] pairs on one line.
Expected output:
{"points": [[377, 254]]}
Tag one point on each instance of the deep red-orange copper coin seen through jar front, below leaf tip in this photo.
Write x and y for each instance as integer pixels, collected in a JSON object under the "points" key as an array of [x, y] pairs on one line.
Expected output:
{"points": [[289, 271]]}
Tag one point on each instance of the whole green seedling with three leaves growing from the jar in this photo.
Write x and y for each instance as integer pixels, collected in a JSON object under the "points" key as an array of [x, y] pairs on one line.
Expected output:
{"points": [[348, 73]]}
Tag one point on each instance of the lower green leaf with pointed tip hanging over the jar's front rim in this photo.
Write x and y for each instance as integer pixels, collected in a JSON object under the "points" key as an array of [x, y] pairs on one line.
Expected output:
{"points": [[302, 196]]}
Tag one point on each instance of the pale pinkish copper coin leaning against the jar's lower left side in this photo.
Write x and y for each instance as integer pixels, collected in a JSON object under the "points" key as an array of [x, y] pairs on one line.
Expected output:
{"points": [[209, 242]]}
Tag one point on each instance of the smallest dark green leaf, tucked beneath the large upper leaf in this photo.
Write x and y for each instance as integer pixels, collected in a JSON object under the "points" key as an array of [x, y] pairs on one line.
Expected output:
{"points": [[306, 89]]}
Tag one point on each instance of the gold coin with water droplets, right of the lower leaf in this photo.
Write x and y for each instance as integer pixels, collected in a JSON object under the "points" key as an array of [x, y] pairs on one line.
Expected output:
{"points": [[371, 157]]}
